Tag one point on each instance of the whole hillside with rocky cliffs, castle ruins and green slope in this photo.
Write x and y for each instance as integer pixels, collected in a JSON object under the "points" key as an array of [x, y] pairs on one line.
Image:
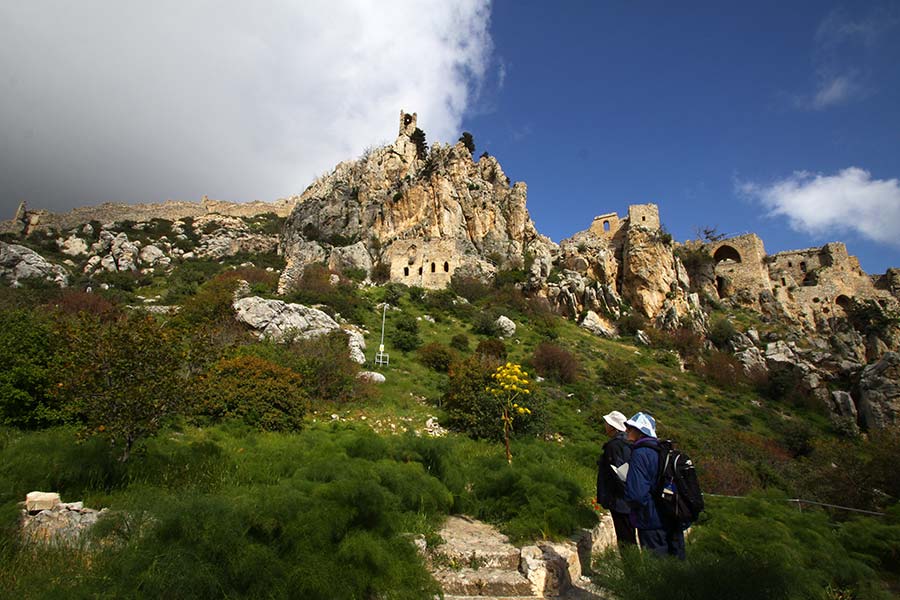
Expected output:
{"points": [[211, 380]]}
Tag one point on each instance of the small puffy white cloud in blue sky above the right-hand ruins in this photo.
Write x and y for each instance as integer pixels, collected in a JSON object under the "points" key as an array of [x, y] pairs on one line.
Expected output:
{"points": [[850, 201]]}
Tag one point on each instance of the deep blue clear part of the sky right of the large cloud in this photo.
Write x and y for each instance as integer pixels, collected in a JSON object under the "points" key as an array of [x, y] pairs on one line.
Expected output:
{"points": [[603, 104]]}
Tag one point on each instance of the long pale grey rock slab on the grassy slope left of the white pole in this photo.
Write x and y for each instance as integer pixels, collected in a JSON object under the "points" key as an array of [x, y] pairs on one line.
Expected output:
{"points": [[280, 322]]}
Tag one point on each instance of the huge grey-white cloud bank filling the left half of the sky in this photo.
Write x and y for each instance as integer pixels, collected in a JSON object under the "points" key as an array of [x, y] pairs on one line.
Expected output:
{"points": [[136, 101]]}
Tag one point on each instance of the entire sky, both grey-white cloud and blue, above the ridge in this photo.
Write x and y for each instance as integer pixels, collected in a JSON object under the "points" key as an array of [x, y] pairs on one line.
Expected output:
{"points": [[779, 118]]}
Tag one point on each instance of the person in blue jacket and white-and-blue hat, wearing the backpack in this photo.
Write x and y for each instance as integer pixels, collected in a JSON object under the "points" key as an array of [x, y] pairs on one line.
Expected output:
{"points": [[655, 534]]}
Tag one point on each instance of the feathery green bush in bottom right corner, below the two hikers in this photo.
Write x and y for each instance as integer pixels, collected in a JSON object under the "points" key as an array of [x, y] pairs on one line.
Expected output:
{"points": [[750, 549]]}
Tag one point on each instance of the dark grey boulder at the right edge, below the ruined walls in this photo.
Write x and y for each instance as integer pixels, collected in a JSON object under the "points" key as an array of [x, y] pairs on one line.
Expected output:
{"points": [[879, 393]]}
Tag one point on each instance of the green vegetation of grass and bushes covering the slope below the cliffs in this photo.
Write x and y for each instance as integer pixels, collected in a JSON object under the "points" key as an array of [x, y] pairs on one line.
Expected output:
{"points": [[234, 467]]}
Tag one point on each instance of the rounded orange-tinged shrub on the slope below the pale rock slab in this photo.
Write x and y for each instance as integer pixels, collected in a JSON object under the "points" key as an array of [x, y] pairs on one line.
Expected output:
{"points": [[262, 394]]}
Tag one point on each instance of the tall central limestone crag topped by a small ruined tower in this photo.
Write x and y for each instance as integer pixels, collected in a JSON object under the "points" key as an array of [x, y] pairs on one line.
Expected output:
{"points": [[424, 214]]}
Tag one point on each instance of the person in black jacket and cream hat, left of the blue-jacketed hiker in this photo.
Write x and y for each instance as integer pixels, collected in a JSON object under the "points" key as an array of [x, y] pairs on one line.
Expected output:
{"points": [[610, 482]]}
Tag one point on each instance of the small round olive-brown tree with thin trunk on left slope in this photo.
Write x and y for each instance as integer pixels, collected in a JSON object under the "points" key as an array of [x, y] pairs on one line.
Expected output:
{"points": [[122, 379]]}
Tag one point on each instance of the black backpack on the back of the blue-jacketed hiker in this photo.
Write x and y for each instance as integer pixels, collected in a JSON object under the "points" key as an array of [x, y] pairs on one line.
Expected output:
{"points": [[677, 492]]}
